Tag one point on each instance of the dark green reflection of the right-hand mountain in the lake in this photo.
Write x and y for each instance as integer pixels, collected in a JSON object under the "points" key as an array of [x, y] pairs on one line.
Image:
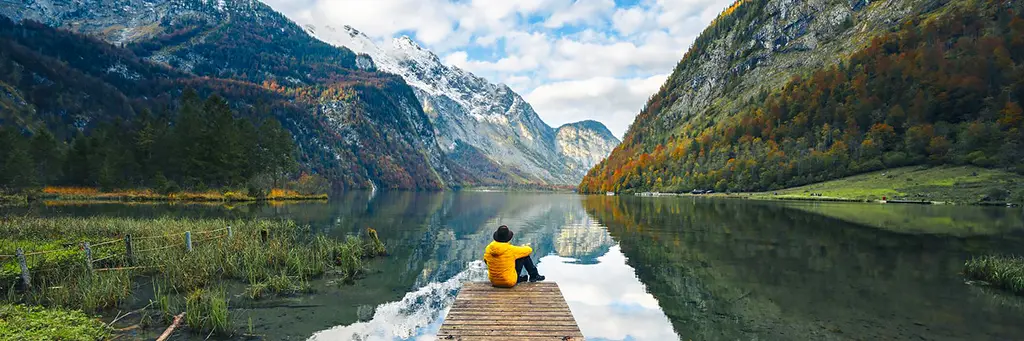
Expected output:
{"points": [[734, 270]]}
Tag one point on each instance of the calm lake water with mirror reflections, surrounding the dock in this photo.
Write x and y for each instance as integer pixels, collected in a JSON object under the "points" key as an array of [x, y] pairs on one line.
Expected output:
{"points": [[653, 269]]}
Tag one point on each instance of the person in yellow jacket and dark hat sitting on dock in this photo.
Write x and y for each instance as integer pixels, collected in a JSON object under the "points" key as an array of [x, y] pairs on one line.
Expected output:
{"points": [[506, 262]]}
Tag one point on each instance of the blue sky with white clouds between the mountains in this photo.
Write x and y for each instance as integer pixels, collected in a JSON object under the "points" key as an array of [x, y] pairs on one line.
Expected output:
{"points": [[571, 60]]}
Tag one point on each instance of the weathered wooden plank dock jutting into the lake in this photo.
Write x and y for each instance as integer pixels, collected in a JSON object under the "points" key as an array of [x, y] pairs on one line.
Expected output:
{"points": [[529, 312]]}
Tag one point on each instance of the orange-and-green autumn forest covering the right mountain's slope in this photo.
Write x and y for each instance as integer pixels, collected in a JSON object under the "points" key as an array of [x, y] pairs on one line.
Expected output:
{"points": [[946, 87]]}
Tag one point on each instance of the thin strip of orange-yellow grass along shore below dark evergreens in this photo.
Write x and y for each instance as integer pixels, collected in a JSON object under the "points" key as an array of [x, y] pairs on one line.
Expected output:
{"points": [[79, 194]]}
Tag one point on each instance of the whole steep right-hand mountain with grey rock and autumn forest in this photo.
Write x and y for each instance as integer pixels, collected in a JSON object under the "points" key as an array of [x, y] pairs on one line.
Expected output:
{"points": [[779, 94]]}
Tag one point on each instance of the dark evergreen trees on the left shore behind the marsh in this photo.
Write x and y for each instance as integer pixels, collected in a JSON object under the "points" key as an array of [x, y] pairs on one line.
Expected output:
{"points": [[201, 145]]}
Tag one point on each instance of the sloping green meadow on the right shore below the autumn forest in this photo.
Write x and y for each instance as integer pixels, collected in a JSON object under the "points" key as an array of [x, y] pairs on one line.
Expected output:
{"points": [[962, 185]]}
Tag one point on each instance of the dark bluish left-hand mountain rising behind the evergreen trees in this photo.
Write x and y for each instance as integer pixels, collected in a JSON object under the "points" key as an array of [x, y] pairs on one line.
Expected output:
{"points": [[360, 127]]}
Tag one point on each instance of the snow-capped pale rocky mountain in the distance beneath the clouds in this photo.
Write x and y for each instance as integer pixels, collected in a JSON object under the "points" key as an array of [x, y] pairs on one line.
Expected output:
{"points": [[473, 117]]}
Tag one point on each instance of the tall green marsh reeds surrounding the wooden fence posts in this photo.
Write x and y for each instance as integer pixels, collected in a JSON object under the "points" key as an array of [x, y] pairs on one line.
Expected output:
{"points": [[268, 259]]}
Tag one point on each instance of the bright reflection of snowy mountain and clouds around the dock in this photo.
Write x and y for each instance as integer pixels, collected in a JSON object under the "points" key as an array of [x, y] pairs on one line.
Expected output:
{"points": [[603, 291]]}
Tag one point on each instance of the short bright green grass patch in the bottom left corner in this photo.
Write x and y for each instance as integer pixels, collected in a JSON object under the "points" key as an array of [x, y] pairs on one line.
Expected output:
{"points": [[24, 323]]}
